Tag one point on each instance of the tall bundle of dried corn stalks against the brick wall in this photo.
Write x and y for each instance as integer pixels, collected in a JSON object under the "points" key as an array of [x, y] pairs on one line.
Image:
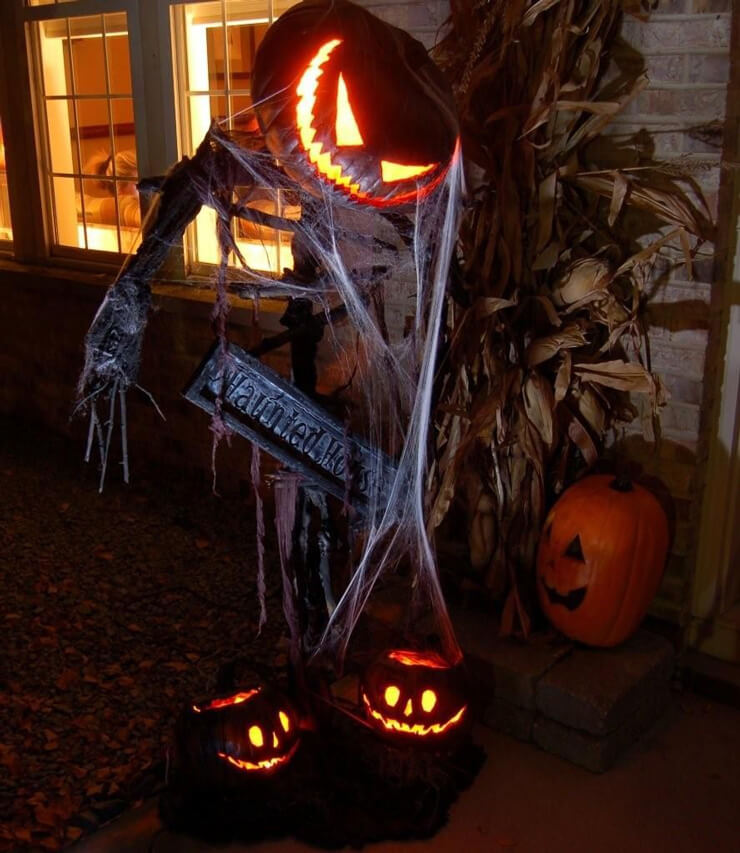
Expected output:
{"points": [[545, 341]]}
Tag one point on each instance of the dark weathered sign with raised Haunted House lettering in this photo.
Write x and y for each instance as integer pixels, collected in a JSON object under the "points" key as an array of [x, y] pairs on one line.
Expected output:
{"points": [[263, 407]]}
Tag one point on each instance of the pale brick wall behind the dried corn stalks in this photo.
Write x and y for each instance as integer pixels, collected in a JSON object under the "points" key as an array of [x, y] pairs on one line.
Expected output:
{"points": [[686, 49]]}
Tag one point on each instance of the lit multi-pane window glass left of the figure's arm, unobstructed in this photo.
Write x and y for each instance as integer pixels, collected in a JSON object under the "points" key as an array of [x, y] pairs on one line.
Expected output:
{"points": [[90, 144]]}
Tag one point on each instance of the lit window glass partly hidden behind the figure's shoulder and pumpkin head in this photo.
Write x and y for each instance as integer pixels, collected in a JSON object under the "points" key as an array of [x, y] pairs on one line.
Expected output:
{"points": [[216, 44]]}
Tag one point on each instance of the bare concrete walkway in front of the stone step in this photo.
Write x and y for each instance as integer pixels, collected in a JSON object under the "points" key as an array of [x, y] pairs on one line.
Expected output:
{"points": [[676, 791]]}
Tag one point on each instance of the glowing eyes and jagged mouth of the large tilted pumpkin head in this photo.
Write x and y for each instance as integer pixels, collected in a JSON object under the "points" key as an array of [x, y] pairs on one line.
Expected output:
{"points": [[348, 133]]}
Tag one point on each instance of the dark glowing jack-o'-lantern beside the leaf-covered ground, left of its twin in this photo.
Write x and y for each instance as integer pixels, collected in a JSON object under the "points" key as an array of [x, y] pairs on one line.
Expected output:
{"points": [[252, 732]]}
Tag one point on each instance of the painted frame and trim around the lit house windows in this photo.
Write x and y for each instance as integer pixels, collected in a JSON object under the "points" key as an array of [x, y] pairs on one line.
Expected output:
{"points": [[161, 135]]}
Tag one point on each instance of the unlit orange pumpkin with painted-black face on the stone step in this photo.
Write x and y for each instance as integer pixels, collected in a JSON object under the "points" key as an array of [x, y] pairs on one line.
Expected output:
{"points": [[601, 558]]}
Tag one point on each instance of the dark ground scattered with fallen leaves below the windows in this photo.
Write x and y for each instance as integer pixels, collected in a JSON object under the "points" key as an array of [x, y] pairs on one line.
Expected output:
{"points": [[116, 609]]}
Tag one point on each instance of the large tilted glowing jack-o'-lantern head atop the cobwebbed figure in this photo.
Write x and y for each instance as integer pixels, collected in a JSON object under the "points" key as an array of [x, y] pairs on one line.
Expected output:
{"points": [[352, 104]]}
